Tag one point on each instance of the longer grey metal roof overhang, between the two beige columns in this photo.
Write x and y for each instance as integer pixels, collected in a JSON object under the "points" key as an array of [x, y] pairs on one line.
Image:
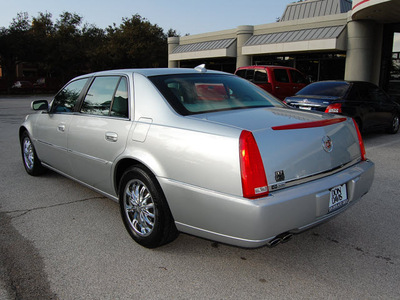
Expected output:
{"points": [[329, 38]]}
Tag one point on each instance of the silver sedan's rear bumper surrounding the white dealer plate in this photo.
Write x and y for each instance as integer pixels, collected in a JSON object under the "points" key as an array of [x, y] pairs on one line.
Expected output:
{"points": [[254, 223]]}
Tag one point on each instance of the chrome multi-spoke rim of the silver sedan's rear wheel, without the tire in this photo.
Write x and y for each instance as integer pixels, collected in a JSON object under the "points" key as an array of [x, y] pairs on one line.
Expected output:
{"points": [[139, 208]]}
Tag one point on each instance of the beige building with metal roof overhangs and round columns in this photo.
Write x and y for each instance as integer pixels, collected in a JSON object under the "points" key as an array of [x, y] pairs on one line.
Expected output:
{"points": [[325, 39]]}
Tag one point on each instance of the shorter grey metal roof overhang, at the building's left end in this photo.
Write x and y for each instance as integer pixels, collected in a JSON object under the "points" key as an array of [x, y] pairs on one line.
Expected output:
{"points": [[208, 49]]}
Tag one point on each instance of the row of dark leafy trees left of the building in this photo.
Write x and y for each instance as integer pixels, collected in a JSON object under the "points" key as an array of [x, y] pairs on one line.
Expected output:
{"points": [[66, 48]]}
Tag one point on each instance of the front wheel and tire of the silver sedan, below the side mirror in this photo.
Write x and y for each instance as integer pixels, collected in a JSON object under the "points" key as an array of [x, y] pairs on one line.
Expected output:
{"points": [[32, 163]]}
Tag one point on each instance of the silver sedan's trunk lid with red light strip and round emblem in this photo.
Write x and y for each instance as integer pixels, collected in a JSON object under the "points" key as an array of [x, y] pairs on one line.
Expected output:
{"points": [[296, 145]]}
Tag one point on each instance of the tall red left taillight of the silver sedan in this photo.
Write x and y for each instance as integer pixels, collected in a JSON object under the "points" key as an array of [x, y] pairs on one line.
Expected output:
{"points": [[254, 180]]}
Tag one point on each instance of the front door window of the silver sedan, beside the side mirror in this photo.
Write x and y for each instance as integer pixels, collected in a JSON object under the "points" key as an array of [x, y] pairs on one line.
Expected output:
{"points": [[66, 99]]}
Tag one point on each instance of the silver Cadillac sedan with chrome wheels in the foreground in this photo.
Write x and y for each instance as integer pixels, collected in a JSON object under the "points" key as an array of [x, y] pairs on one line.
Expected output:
{"points": [[197, 151]]}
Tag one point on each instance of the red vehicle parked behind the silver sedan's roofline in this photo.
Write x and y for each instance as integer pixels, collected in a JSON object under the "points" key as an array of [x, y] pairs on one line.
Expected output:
{"points": [[279, 81]]}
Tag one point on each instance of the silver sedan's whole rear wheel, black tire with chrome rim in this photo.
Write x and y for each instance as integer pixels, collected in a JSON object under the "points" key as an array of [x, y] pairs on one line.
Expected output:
{"points": [[144, 209]]}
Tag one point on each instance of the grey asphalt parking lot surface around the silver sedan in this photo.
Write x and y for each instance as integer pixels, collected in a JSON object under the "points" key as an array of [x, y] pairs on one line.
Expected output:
{"points": [[59, 240]]}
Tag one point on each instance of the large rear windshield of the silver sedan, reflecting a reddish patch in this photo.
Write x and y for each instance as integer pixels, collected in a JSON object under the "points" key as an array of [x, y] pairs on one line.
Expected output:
{"points": [[200, 93]]}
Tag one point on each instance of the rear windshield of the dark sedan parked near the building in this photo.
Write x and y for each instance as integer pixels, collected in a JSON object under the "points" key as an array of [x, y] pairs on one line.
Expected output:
{"points": [[330, 89]]}
